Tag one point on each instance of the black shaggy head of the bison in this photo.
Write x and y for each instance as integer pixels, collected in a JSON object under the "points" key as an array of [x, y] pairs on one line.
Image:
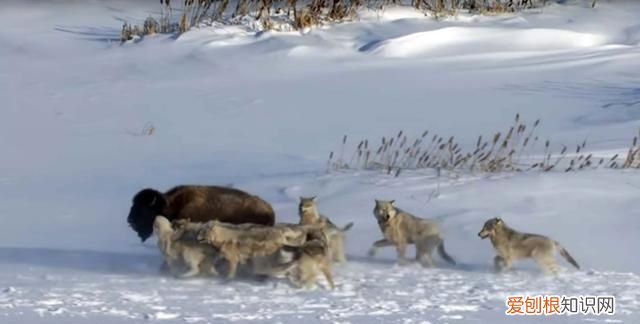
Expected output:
{"points": [[147, 204]]}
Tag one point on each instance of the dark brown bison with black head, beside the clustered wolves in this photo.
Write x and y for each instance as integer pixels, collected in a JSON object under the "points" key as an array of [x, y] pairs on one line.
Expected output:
{"points": [[199, 204]]}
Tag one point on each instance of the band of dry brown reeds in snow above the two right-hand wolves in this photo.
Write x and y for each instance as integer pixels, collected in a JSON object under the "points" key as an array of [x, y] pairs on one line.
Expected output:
{"points": [[511, 150]]}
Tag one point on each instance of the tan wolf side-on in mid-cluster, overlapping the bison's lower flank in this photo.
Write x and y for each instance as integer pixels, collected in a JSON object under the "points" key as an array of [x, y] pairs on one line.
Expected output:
{"points": [[238, 243]]}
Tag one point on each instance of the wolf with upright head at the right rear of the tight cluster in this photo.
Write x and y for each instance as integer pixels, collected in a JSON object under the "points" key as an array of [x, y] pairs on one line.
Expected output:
{"points": [[309, 214]]}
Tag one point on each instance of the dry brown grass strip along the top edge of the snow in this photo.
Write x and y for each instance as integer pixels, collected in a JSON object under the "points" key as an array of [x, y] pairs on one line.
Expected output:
{"points": [[300, 14]]}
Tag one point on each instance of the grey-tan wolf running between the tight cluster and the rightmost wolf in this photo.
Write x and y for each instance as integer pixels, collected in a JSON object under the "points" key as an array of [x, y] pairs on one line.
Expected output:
{"points": [[401, 228]]}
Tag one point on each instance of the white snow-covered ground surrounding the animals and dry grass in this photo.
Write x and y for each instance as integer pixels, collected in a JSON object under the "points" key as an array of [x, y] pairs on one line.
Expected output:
{"points": [[263, 111]]}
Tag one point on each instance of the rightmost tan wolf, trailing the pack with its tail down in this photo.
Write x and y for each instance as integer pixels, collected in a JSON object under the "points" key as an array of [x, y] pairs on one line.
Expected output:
{"points": [[512, 245]]}
